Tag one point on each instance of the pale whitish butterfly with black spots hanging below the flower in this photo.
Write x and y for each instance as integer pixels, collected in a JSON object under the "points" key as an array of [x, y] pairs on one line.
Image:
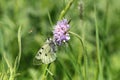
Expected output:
{"points": [[46, 54]]}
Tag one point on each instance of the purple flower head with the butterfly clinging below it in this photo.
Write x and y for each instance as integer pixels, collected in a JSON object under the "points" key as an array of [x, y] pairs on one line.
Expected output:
{"points": [[60, 33]]}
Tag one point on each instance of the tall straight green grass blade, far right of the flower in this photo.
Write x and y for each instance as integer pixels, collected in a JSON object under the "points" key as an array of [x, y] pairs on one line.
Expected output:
{"points": [[98, 48]]}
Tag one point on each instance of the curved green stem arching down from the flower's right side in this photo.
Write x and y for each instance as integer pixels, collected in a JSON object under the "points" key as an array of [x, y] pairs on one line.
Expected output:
{"points": [[85, 53]]}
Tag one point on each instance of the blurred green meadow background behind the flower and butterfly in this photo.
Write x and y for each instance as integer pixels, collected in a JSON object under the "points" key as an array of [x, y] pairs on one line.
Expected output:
{"points": [[32, 16]]}
